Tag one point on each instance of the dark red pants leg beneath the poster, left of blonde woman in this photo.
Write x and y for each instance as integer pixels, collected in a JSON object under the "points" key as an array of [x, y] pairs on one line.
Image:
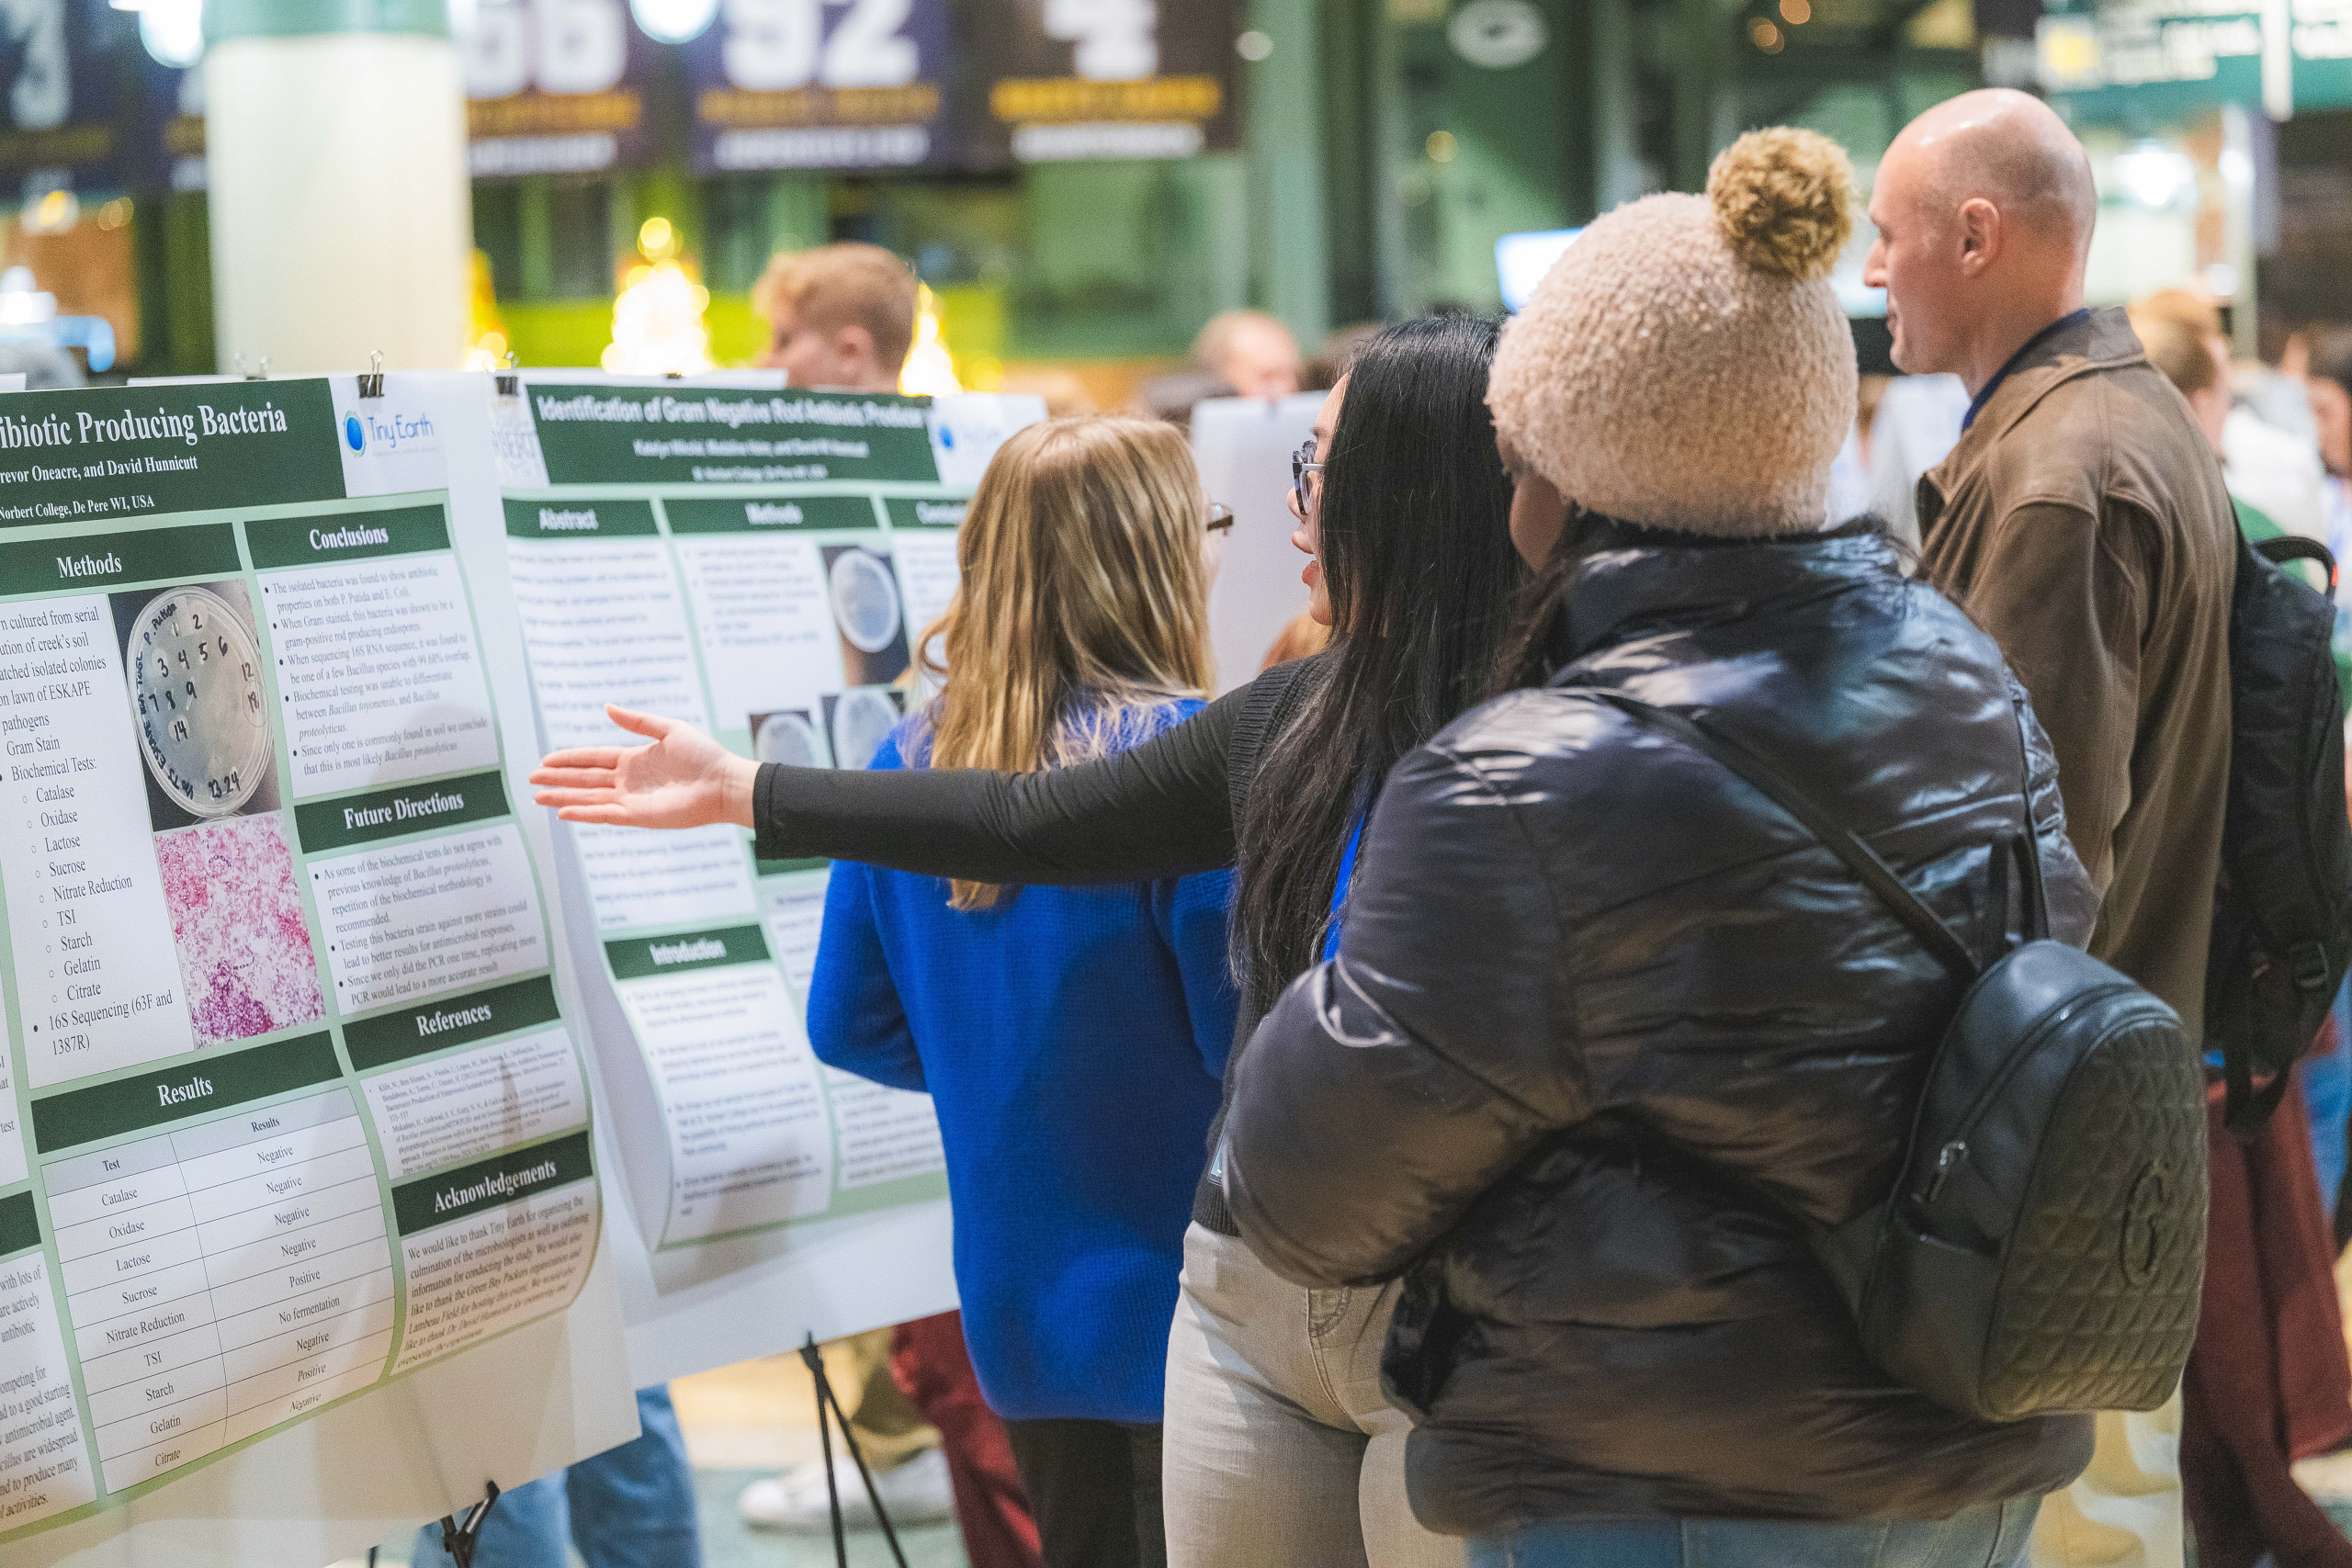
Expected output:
{"points": [[933, 1369]]}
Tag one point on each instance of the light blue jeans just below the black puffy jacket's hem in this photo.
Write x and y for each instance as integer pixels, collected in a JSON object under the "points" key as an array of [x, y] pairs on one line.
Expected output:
{"points": [[1991, 1536]]}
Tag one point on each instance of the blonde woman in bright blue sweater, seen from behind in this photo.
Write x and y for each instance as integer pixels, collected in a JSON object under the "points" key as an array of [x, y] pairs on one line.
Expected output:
{"points": [[1069, 1038]]}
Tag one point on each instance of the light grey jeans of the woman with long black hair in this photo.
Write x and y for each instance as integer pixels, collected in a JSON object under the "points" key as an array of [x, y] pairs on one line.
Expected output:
{"points": [[1278, 1447]]}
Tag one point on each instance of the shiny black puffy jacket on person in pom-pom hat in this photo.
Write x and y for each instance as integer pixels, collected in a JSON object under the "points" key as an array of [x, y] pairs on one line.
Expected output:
{"points": [[1603, 1019]]}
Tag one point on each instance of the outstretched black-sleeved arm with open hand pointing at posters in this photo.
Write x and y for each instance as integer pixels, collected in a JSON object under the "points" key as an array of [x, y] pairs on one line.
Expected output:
{"points": [[1158, 810]]}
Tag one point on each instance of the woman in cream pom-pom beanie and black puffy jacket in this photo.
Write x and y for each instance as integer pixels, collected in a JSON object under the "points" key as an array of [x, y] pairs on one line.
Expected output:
{"points": [[1605, 1028]]}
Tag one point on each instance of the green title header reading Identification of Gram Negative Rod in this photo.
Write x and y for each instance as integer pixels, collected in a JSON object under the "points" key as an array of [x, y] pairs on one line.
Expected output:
{"points": [[716, 436]]}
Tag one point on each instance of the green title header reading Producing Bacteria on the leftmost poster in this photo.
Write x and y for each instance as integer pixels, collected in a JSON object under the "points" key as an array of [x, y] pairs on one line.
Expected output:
{"points": [[131, 453]]}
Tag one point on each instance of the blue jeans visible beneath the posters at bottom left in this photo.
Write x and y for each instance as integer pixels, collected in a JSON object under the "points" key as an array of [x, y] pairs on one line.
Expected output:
{"points": [[627, 1508]]}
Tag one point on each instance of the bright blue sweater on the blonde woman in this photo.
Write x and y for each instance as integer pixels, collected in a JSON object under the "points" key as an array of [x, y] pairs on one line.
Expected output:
{"points": [[1071, 1043]]}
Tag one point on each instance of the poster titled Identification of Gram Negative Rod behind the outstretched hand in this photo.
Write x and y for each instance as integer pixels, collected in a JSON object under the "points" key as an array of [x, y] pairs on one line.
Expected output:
{"points": [[761, 563]]}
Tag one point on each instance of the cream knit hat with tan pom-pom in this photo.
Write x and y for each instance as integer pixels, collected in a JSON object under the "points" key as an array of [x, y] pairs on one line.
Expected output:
{"points": [[1685, 366]]}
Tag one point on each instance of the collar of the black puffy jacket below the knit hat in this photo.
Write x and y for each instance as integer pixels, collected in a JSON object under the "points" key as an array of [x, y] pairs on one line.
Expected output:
{"points": [[1633, 582]]}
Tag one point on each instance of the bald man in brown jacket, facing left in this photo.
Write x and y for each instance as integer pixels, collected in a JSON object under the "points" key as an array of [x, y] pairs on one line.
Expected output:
{"points": [[2085, 523]]}
